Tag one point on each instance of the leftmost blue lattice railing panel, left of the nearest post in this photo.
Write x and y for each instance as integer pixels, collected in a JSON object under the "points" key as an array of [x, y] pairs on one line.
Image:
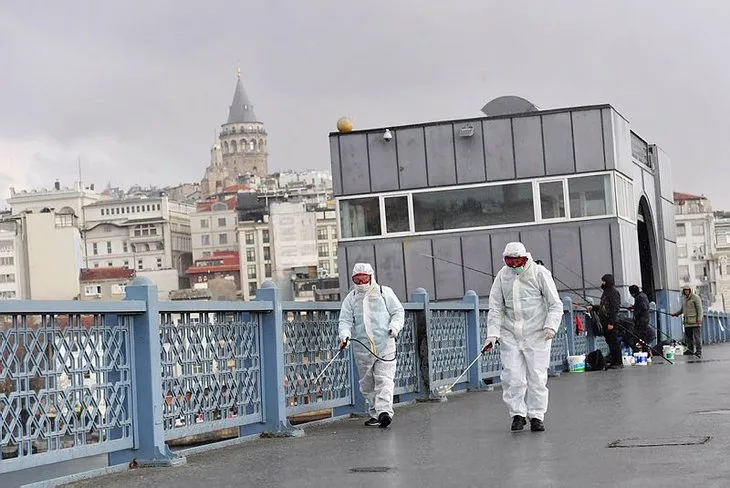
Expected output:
{"points": [[66, 380]]}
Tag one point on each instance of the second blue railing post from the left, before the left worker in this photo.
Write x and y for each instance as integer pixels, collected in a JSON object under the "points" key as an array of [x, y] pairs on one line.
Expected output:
{"points": [[273, 373]]}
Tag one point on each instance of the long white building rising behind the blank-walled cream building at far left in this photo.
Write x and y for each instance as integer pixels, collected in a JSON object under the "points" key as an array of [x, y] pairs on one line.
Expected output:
{"points": [[70, 201]]}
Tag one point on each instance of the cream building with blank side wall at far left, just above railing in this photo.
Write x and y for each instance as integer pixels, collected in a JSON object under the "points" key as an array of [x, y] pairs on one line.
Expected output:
{"points": [[40, 256]]}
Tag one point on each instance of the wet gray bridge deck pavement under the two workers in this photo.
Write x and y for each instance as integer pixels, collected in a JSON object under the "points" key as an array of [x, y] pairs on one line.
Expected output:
{"points": [[466, 441]]}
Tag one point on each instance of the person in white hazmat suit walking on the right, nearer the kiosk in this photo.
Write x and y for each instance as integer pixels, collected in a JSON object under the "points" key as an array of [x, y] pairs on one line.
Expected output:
{"points": [[524, 315]]}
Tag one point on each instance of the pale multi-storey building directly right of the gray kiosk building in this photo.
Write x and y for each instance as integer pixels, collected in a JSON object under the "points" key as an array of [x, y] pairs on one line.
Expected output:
{"points": [[696, 248]]}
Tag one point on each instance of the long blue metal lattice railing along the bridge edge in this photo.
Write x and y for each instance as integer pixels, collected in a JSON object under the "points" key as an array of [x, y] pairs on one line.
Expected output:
{"points": [[124, 378]]}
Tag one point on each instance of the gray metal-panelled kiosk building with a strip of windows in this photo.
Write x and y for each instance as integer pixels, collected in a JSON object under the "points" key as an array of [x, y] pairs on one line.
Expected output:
{"points": [[578, 186]]}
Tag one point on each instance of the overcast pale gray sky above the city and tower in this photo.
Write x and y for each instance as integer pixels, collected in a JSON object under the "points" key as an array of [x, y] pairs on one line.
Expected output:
{"points": [[136, 88]]}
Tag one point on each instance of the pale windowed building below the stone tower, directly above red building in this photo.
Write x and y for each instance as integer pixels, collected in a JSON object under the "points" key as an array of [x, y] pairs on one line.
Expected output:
{"points": [[214, 228]]}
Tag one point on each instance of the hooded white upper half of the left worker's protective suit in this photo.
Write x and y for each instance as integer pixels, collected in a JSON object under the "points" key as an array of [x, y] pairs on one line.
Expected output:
{"points": [[368, 313]]}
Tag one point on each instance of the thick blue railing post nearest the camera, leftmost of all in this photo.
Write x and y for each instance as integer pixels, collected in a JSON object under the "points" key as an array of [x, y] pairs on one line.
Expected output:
{"points": [[149, 434]]}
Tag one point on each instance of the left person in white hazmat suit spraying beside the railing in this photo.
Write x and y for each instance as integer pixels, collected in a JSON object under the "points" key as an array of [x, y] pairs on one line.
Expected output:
{"points": [[372, 314]]}
